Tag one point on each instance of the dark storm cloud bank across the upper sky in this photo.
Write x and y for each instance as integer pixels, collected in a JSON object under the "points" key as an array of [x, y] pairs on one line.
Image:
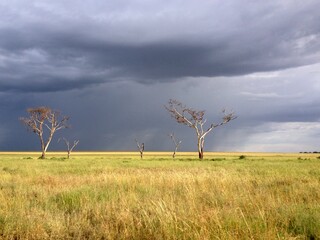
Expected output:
{"points": [[150, 42]]}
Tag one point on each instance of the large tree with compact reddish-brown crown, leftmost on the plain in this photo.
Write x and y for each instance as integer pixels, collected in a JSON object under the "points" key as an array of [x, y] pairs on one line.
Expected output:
{"points": [[41, 119]]}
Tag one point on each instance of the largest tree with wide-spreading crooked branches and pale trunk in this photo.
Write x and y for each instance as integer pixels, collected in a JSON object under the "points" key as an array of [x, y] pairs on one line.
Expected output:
{"points": [[195, 119]]}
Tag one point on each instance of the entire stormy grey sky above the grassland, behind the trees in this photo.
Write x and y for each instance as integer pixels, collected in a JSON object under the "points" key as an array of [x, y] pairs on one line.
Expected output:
{"points": [[113, 65]]}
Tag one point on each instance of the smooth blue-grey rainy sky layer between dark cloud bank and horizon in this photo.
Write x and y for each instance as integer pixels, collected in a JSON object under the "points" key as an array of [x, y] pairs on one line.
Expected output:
{"points": [[111, 116]]}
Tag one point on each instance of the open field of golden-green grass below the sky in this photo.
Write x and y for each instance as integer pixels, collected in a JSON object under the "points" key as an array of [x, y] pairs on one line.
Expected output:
{"points": [[115, 195]]}
